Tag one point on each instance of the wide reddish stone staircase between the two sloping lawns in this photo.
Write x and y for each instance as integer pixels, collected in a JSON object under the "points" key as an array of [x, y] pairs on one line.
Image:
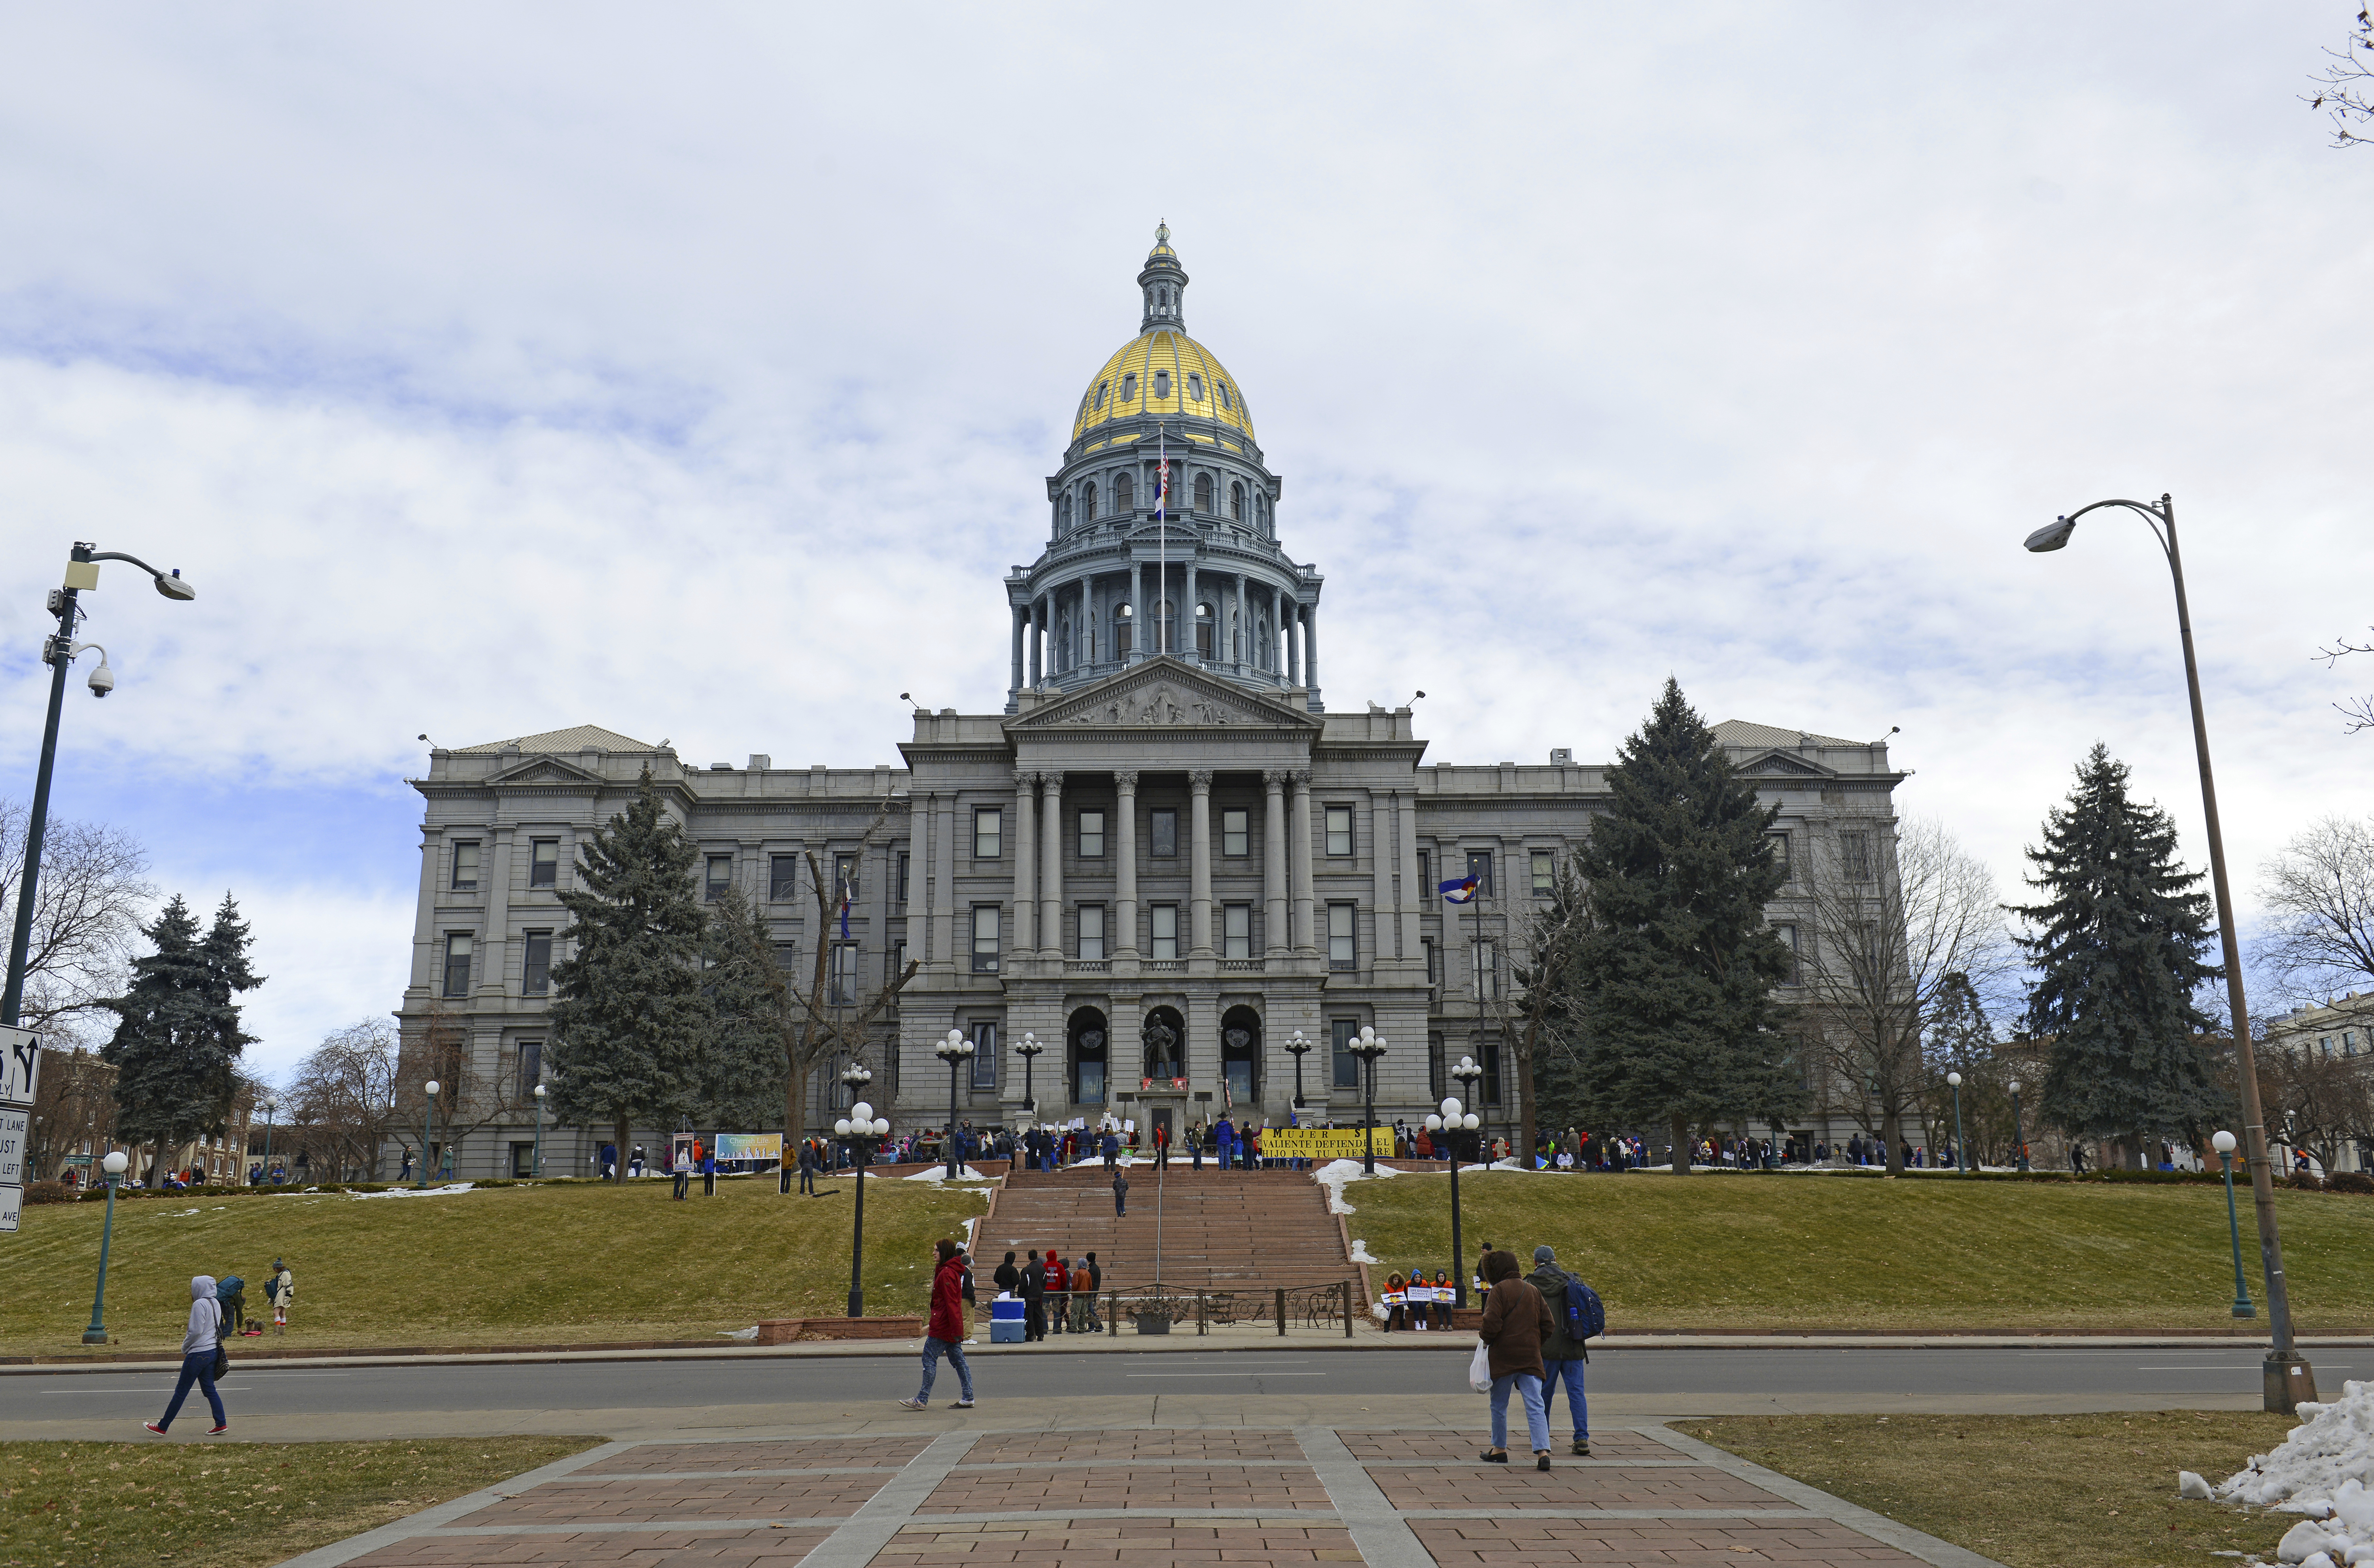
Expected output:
{"points": [[1240, 1230]]}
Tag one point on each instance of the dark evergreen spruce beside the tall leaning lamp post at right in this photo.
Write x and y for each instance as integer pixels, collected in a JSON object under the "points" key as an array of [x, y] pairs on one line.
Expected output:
{"points": [[2121, 945]]}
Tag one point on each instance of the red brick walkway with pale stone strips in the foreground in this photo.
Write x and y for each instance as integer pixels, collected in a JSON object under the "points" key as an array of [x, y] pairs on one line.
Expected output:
{"points": [[1143, 1500]]}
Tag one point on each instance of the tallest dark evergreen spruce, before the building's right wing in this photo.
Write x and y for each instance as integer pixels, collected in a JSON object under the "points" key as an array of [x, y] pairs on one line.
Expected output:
{"points": [[1677, 969]]}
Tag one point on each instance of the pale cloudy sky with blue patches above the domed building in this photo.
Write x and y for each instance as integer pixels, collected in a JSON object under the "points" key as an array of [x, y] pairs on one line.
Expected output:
{"points": [[694, 371]]}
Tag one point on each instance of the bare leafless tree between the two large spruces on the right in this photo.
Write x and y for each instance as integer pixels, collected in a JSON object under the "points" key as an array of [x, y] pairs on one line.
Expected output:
{"points": [[1896, 926]]}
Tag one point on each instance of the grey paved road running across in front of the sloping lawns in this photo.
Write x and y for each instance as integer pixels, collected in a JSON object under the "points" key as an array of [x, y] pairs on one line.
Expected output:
{"points": [[1639, 1379]]}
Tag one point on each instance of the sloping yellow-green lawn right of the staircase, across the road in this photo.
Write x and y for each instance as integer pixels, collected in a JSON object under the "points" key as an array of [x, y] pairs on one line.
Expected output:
{"points": [[1927, 1254]]}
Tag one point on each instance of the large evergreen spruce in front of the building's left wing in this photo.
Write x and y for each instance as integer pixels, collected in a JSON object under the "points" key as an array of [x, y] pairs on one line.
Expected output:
{"points": [[630, 1016]]}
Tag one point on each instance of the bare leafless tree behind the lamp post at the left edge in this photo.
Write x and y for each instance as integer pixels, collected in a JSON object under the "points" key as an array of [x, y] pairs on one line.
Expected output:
{"points": [[87, 917]]}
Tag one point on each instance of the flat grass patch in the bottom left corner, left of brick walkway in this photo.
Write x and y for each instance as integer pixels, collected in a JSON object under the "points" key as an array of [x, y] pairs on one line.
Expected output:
{"points": [[220, 1505]]}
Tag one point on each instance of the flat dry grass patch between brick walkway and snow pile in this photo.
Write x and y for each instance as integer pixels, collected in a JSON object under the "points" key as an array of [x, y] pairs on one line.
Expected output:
{"points": [[2031, 1491]]}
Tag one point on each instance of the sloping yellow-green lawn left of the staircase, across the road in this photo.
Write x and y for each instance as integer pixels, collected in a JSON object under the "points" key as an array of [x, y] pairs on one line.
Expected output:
{"points": [[519, 1266]]}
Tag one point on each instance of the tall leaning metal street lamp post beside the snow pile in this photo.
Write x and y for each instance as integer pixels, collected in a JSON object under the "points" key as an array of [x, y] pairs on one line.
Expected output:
{"points": [[2285, 1375]]}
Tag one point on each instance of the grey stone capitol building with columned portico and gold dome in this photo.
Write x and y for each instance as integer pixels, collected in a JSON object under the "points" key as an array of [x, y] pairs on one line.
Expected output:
{"points": [[1162, 853]]}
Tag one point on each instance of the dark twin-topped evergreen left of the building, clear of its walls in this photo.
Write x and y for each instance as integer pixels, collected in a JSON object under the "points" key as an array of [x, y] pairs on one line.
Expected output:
{"points": [[179, 1035]]}
